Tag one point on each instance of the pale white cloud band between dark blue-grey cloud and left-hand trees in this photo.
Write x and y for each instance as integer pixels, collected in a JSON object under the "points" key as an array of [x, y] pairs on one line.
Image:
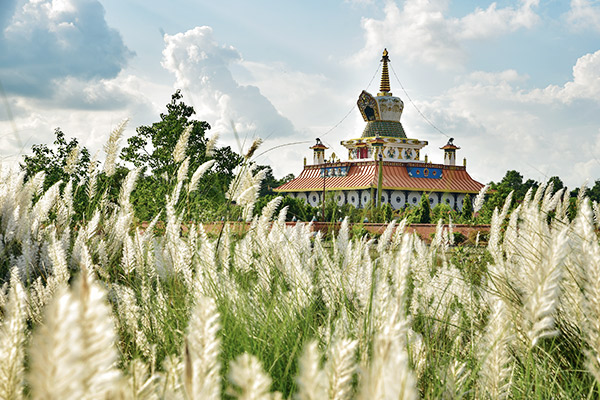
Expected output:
{"points": [[90, 121]]}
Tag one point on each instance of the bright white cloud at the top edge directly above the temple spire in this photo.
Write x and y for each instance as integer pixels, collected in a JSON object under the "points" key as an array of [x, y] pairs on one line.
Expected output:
{"points": [[421, 31]]}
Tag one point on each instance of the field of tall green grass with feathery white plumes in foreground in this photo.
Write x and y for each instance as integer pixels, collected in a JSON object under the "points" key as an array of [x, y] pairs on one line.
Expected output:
{"points": [[105, 309]]}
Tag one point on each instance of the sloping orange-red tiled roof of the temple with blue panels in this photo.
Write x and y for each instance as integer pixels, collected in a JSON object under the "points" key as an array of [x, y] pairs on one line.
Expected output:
{"points": [[396, 176]]}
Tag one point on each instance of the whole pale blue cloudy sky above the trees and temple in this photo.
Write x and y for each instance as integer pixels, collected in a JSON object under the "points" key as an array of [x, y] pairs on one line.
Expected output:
{"points": [[515, 83]]}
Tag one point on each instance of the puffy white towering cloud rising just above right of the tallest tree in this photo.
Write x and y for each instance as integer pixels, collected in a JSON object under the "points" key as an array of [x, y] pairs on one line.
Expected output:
{"points": [[202, 68]]}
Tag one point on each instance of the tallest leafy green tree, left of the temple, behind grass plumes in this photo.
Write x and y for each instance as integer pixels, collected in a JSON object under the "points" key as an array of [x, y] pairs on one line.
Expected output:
{"points": [[152, 148]]}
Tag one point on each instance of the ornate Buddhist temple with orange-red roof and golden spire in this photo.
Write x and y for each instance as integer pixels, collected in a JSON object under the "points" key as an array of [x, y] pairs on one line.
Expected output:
{"points": [[383, 164]]}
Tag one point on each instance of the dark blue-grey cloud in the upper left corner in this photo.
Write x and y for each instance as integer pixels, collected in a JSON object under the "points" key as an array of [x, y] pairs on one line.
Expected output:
{"points": [[46, 41]]}
